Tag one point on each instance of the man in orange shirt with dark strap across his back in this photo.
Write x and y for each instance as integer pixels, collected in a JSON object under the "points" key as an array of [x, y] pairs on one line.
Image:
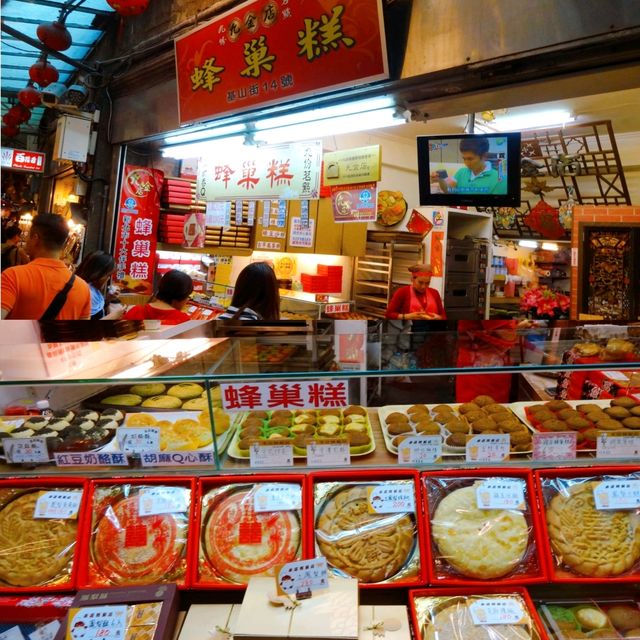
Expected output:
{"points": [[45, 289]]}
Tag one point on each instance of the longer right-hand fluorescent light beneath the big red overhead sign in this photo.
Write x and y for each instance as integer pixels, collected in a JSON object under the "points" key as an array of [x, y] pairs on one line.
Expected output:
{"points": [[333, 126]]}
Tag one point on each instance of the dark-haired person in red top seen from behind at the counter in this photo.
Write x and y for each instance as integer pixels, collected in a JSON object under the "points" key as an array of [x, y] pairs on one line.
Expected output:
{"points": [[174, 290]]}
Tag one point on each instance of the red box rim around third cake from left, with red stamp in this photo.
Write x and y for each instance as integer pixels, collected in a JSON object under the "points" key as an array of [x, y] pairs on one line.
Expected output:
{"points": [[204, 485]]}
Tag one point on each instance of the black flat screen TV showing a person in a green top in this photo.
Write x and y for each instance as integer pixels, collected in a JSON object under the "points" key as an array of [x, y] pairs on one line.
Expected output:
{"points": [[478, 170]]}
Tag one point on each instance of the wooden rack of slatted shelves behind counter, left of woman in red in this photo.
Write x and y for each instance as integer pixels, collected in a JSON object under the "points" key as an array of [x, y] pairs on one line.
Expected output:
{"points": [[383, 268]]}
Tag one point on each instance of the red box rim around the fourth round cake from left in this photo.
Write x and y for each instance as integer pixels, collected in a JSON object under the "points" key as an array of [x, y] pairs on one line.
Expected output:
{"points": [[373, 475]]}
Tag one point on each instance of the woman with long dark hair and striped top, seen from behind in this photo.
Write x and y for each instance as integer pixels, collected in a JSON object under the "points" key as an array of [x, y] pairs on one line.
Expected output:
{"points": [[256, 295]]}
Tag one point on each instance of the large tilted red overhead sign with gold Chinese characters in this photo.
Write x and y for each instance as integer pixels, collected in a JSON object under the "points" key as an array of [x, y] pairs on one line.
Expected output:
{"points": [[269, 51]]}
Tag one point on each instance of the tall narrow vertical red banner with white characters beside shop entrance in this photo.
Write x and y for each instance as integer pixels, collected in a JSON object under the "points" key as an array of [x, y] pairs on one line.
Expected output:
{"points": [[138, 213]]}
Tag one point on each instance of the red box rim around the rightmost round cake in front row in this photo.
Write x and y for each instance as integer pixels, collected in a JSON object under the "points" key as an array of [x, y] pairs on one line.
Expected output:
{"points": [[558, 574]]}
